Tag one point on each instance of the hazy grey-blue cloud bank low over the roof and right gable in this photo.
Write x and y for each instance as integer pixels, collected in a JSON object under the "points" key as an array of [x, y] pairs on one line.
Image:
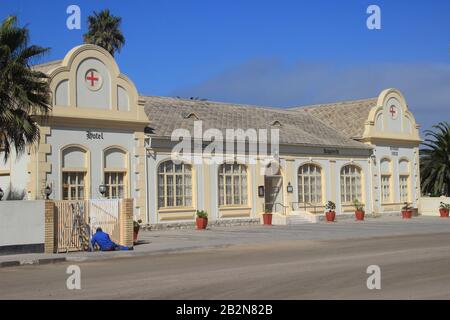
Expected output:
{"points": [[269, 82]]}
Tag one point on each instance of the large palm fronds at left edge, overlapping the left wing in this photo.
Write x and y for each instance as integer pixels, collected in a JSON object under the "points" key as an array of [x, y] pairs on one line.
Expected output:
{"points": [[24, 92]]}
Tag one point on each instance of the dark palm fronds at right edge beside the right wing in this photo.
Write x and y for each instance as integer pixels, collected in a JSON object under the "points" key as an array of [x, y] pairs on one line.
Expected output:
{"points": [[435, 161]]}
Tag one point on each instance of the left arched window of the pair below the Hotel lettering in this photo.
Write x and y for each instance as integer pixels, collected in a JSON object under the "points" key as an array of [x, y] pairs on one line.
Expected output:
{"points": [[74, 173]]}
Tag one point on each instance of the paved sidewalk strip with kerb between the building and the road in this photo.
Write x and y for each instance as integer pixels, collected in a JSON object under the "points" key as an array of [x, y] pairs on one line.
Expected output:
{"points": [[156, 242]]}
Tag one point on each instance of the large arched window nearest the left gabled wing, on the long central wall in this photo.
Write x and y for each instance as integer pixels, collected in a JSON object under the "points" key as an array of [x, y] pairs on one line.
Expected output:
{"points": [[174, 185]]}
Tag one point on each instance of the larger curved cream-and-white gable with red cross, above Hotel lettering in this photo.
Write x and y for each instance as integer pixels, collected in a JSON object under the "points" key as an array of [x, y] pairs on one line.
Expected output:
{"points": [[88, 80]]}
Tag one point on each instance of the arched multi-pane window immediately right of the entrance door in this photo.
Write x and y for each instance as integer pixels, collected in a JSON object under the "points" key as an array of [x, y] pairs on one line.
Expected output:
{"points": [[309, 184]]}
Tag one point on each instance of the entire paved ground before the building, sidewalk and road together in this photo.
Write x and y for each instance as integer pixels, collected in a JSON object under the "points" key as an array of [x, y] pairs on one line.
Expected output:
{"points": [[310, 261]]}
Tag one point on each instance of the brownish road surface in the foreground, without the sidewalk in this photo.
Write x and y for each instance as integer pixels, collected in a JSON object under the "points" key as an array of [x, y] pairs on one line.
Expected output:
{"points": [[412, 267]]}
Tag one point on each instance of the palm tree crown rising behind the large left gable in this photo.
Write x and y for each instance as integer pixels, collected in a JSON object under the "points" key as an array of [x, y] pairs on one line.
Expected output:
{"points": [[104, 31]]}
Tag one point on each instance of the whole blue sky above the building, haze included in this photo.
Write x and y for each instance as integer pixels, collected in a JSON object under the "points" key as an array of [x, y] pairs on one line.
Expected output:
{"points": [[275, 53]]}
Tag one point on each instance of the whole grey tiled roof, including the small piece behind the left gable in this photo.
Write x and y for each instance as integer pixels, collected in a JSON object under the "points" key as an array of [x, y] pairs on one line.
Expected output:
{"points": [[330, 125]]}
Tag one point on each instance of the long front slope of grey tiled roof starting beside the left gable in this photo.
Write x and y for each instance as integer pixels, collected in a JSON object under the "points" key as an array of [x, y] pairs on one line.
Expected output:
{"points": [[167, 114]]}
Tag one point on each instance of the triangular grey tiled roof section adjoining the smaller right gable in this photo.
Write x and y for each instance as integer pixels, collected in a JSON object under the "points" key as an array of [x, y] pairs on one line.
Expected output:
{"points": [[348, 117]]}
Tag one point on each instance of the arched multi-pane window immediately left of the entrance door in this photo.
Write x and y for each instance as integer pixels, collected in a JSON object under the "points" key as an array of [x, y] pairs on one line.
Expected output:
{"points": [[232, 185]]}
